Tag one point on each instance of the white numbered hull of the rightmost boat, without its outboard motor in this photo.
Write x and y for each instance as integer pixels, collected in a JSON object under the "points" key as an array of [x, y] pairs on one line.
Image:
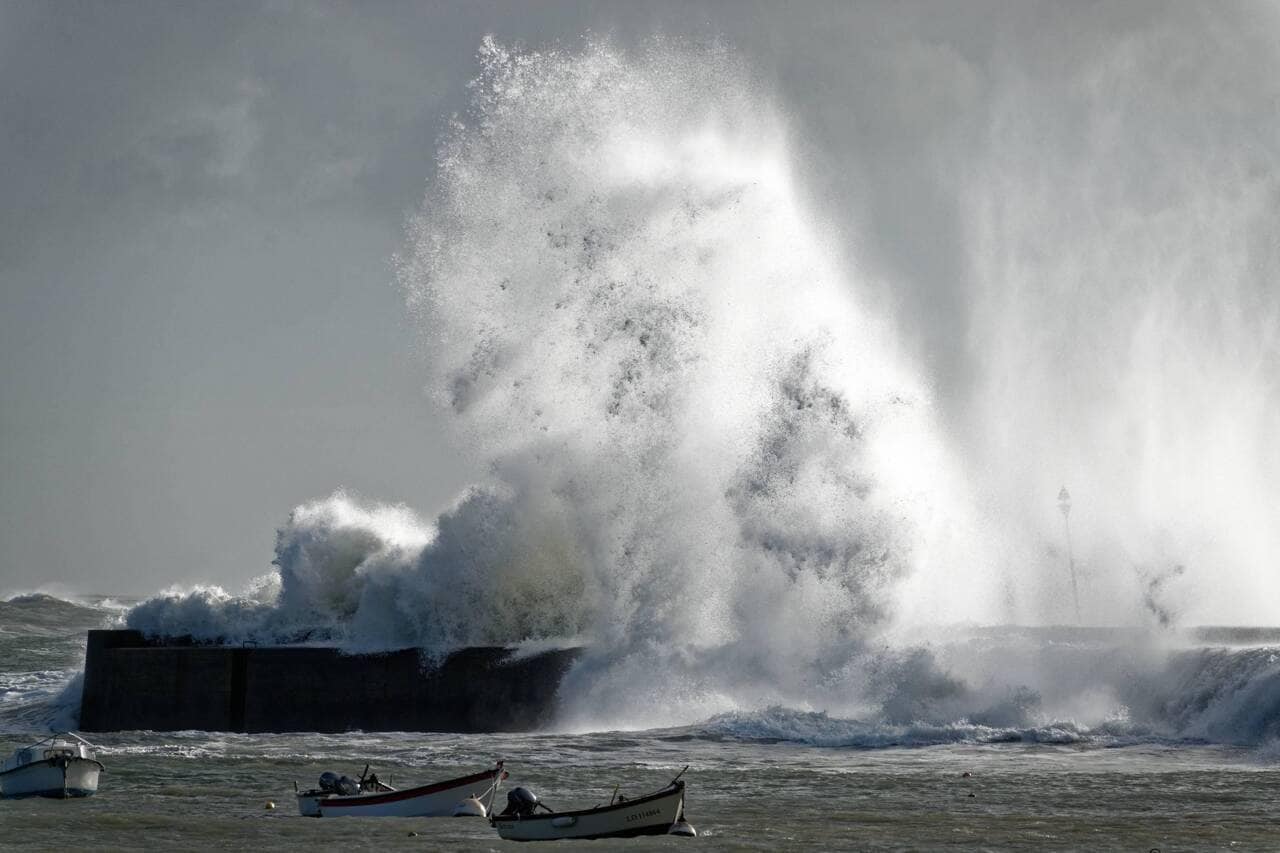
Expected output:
{"points": [[650, 815]]}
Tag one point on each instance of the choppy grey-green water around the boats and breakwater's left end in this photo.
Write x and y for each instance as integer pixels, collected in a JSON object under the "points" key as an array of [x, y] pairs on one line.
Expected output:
{"points": [[767, 781]]}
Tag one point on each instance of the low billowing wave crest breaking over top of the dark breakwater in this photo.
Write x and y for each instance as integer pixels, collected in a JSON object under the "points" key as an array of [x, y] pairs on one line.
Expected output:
{"points": [[377, 577]]}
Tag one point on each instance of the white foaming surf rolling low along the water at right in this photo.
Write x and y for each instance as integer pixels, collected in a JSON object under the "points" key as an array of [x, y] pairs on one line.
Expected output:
{"points": [[1205, 695]]}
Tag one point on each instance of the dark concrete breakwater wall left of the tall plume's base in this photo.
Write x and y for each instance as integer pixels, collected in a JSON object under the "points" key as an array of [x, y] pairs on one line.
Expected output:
{"points": [[132, 682]]}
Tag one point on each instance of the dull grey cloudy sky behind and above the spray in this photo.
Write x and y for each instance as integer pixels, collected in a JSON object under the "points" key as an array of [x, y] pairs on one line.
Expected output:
{"points": [[199, 325]]}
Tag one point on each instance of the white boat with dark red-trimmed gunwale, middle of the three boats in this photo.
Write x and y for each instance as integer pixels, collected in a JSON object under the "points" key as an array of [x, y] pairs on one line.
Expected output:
{"points": [[369, 797]]}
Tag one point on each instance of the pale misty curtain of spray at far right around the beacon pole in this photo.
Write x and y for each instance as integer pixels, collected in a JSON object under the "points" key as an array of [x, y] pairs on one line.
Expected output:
{"points": [[1119, 211]]}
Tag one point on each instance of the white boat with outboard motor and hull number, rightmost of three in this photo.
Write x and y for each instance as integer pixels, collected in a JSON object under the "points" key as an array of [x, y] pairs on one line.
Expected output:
{"points": [[659, 814]]}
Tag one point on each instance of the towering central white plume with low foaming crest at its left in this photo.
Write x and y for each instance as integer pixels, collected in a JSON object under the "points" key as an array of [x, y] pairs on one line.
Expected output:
{"points": [[705, 457]]}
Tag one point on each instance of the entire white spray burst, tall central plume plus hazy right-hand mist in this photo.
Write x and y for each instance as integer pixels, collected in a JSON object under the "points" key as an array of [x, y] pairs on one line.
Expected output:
{"points": [[714, 464]]}
